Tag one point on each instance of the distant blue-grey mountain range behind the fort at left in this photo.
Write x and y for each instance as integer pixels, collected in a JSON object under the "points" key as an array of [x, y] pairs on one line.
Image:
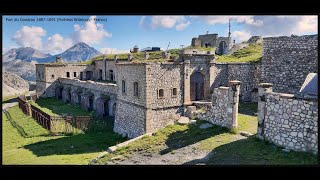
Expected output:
{"points": [[21, 61]]}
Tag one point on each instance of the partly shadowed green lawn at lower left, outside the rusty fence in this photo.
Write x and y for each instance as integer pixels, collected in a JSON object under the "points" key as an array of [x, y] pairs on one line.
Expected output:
{"points": [[77, 149]]}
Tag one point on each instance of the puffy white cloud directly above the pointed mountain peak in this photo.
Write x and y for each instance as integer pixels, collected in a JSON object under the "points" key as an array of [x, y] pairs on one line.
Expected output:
{"points": [[90, 33]]}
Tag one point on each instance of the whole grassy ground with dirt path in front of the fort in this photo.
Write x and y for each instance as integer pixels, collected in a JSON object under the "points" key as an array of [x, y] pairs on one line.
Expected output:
{"points": [[26, 142]]}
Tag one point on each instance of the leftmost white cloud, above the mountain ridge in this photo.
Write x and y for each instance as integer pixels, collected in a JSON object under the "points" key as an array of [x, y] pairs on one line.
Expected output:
{"points": [[29, 36]]}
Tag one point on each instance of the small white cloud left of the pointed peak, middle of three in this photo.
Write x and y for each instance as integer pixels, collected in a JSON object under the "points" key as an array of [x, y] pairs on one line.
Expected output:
{"points": [[56, 44]]}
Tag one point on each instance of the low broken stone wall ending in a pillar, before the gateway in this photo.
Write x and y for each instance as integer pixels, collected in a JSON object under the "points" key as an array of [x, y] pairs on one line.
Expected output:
{"points": [[223, 109]]}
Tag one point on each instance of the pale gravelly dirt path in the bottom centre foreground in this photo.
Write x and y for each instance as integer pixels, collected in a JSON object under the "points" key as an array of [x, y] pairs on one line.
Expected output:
{"points": [[188, 155]]}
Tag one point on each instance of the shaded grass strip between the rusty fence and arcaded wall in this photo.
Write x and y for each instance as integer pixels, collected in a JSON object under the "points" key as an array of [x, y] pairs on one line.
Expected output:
{"points": [[55, 107]]}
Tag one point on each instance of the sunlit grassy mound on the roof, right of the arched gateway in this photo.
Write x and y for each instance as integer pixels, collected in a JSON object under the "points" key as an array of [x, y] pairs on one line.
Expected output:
{"points": [[252, 53]]}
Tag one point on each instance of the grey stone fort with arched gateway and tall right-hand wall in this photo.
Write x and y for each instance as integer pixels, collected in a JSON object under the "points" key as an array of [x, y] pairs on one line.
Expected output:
{"points": [[145, 96]]}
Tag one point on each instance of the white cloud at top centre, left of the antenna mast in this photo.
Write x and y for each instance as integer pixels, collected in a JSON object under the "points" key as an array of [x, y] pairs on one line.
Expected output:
{"points": [[168, 22]]}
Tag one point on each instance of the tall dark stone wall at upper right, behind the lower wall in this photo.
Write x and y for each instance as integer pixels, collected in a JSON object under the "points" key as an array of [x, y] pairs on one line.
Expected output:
{"points": [[286, 61]]}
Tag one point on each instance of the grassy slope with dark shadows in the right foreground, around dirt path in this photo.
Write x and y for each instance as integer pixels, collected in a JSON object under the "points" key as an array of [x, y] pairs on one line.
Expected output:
{"points": [[228, 148]]}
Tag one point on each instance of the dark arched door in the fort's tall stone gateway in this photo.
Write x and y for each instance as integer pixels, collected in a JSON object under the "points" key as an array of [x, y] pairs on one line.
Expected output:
{"points": [[197, 86]]}
